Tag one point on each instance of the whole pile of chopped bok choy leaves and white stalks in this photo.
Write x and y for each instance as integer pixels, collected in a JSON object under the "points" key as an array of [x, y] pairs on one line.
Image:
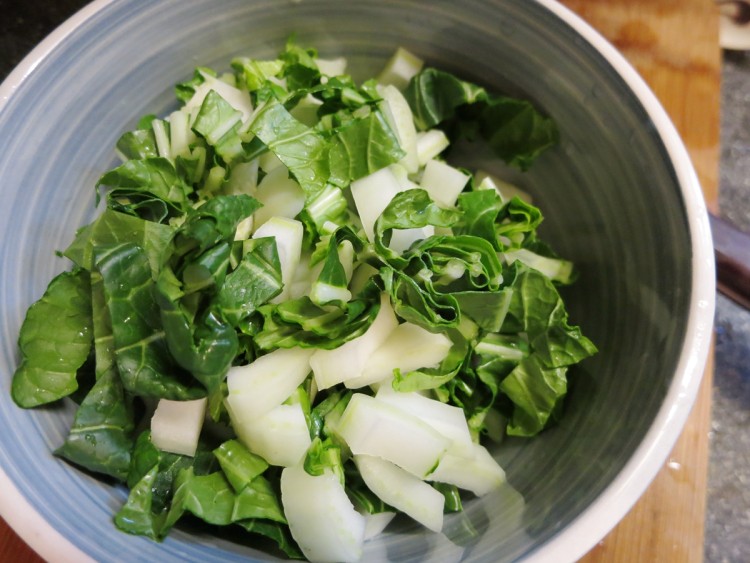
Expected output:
{"points": [[286, 264]]}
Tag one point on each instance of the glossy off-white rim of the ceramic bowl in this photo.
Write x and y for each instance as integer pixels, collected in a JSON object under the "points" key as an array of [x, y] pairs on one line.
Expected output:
{"points": [[618, 498]]}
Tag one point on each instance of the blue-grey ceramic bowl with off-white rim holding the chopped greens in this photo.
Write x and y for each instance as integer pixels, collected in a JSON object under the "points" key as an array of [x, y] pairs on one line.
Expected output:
{"points": [[619, 195]]}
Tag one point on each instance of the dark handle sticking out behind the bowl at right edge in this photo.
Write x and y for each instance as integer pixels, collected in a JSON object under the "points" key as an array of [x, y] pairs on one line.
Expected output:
{"points": [[732, 248]]}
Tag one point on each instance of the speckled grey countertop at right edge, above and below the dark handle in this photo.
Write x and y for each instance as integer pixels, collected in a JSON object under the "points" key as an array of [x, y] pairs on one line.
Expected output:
{"points": [[728, 514]]}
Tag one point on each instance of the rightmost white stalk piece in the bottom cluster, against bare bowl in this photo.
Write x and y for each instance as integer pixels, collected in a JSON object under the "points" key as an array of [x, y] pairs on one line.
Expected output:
{"points": [[478, 472]]}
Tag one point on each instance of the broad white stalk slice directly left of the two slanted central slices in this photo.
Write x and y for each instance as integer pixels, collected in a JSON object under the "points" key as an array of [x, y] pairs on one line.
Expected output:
{"points": [[255, 389]]}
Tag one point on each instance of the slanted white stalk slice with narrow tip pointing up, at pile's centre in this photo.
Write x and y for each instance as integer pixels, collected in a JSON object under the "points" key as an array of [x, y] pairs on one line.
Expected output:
{"points": [[331, 367]]}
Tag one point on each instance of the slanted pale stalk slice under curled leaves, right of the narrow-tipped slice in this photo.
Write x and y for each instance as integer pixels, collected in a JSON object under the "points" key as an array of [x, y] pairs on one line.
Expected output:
{"points": [[409, 347]]}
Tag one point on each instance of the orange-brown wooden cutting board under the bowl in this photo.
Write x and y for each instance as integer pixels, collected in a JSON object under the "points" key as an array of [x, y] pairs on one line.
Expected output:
{"points": [[674, 45]]}
